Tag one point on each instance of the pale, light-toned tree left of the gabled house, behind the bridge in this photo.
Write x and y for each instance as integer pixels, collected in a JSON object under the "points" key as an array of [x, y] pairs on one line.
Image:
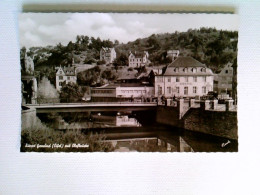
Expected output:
{"points": [[47, 92]]}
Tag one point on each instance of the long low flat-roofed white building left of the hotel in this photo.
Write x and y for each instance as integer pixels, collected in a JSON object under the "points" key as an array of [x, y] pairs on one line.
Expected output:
{"points": [[122, 92]]}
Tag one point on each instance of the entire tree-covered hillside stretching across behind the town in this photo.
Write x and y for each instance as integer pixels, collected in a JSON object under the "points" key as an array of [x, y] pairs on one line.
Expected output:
{"points": [[210, 46]]}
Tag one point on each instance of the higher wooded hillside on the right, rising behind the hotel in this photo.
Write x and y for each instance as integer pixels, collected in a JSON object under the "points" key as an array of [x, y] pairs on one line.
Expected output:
{"points": [[210, 46]]}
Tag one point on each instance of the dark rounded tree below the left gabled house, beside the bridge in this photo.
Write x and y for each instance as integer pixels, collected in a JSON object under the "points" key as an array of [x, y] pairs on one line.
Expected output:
{"points": [[71, 92]]}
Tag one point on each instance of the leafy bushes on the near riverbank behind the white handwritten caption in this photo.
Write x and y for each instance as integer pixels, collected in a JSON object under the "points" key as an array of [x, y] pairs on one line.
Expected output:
{"points": [[41, 134]]}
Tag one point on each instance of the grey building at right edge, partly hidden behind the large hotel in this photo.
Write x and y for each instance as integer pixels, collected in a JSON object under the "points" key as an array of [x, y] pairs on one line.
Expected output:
{"points": [[224, 80]]}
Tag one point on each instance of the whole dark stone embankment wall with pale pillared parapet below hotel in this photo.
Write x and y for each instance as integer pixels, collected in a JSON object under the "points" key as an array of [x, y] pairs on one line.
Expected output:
{"points": [[206, 117]]}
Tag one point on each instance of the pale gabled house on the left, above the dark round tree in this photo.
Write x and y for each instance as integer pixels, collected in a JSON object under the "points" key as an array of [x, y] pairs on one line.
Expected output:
{"points": [[65, 75]]}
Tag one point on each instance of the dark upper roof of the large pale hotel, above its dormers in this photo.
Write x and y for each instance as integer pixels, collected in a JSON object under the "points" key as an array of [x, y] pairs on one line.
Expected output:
{"points": [[186, 62]]}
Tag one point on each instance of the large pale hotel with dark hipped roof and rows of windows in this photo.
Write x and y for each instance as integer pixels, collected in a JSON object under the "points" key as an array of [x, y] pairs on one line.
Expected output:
{"points": [[184, 77]]}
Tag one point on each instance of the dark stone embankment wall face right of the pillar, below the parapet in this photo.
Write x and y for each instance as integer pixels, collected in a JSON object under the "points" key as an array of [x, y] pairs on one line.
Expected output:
{"points": [[219, 123]]}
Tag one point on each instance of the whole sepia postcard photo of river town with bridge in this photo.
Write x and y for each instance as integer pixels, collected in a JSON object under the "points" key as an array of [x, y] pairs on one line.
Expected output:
{"points": [[128, 82]]}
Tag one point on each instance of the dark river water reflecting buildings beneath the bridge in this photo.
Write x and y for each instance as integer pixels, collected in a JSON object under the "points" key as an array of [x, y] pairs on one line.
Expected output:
{"points": [[131, 131]]}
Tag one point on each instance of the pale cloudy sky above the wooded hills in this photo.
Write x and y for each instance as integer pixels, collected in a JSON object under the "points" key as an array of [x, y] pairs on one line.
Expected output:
{"points": [[42, 29]]}
